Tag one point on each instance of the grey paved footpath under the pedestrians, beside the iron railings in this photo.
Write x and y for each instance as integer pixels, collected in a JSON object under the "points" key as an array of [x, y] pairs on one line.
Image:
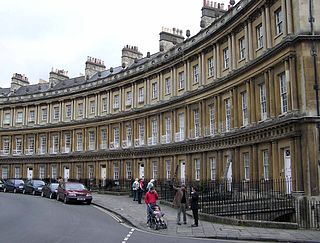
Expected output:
{"points": [[135, 214]]}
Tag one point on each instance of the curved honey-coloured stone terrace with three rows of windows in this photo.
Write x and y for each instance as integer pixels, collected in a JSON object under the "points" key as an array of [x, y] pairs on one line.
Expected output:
{"points": [[236, 102]]}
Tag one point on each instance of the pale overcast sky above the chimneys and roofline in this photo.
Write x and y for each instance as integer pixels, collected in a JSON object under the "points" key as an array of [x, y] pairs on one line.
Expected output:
{"points": [[38, 35]]}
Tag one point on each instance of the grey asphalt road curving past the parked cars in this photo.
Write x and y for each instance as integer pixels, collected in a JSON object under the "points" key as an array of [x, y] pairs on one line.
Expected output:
{"points": [[32, 219]]}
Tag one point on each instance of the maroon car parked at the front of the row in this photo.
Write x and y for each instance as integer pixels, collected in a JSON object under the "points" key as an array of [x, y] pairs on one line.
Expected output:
{"points": [[73, 192]]}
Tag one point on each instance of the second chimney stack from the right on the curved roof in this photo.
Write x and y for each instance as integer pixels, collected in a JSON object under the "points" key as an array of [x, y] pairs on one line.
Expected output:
{"points": [[169, 38]]}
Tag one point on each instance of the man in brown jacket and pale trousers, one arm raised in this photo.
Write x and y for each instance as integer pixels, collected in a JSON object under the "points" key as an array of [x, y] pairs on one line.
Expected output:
{"points": [[180, 202]]}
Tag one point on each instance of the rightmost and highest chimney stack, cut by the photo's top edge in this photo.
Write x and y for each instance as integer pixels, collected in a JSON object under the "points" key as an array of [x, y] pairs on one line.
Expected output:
{"points": [[210, 12]]}
